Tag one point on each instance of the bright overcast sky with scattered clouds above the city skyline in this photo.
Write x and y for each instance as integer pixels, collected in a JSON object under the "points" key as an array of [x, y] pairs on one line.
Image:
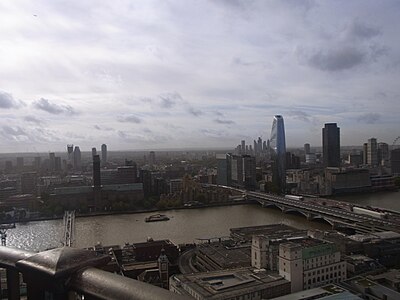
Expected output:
{"points": [[171, 74]]}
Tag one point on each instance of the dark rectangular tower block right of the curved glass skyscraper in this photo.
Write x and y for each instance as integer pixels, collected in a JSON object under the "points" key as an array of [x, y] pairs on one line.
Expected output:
{"points": [[331, 145]]}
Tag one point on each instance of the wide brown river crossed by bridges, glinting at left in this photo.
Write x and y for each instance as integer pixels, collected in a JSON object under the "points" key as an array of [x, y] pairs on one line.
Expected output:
{"points": [[184, 226]]}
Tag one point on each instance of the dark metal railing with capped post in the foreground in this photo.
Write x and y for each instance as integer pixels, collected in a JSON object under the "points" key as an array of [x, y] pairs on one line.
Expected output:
{"points": [[69, 273]]}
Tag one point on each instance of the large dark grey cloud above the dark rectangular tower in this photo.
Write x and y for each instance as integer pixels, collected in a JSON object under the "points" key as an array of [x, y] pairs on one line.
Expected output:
{"points": [[336, 59]]}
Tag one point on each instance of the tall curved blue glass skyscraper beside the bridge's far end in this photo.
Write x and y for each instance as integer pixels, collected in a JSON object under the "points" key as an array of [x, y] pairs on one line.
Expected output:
{"points": [[278, 144]]}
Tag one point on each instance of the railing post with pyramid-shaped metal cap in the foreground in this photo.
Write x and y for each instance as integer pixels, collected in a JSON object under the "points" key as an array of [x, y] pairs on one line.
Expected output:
{"points": [[47, 273]]}
